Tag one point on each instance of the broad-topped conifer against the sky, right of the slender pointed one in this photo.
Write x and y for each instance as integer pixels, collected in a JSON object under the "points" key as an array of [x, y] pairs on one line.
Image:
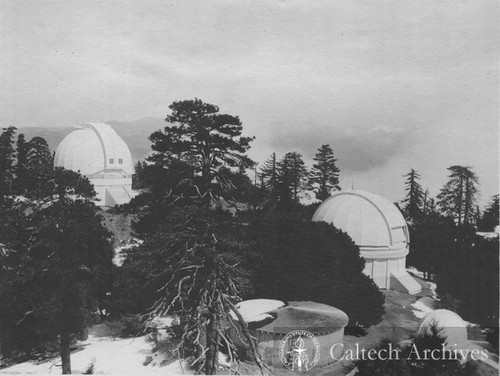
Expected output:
{"points": [[458, 196]]}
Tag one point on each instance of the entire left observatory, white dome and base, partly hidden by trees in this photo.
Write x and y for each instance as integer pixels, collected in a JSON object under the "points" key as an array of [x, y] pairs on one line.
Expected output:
{"points": [[97, 152]]}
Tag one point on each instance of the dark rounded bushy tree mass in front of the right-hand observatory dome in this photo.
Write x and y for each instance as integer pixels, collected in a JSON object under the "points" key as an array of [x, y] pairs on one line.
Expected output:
{"points": [[304, 260]]}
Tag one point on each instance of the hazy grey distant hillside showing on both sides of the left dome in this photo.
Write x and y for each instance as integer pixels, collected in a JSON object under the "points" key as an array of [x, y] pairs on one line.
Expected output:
{"points": [[134, 133]]}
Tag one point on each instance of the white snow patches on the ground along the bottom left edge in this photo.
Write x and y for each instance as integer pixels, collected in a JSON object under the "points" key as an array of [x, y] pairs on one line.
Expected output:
{"points": [[110, 356]]}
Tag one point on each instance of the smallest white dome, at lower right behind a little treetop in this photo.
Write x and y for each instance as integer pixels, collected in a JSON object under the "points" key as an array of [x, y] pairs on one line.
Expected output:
{"points": [[452, 327]]}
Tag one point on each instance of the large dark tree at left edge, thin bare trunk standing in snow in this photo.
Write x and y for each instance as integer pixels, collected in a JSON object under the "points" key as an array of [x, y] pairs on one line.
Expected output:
{"points": [[59, 267]]}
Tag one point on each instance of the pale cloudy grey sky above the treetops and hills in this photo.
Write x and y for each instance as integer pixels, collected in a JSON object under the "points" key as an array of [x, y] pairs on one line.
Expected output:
{"points": [[390, 85]]}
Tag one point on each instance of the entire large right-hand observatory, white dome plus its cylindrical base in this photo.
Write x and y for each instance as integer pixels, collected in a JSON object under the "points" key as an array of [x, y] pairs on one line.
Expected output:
{"points": [[378, 228]]}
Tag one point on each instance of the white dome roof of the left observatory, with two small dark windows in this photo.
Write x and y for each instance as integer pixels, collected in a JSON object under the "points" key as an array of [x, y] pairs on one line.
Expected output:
{"points": [[94, 148]]}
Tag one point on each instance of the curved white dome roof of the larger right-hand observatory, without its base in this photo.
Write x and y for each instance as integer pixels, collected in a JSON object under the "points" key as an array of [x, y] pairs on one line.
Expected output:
{"points": [[369, 219]]}
